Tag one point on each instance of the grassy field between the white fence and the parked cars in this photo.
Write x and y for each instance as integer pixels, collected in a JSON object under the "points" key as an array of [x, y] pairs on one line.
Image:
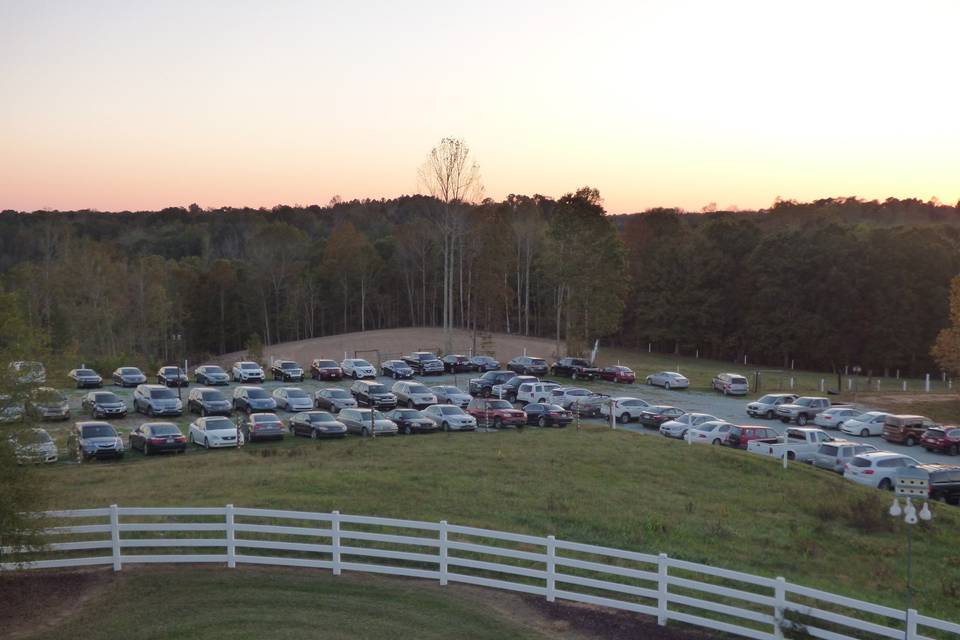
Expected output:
{"points": [[706, 504]]}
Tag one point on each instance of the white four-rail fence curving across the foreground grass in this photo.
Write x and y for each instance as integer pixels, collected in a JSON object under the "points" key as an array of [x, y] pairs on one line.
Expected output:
{"points": [[656, 585]]}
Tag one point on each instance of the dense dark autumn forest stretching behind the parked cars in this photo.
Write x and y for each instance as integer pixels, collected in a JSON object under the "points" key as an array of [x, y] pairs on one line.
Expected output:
{"points": [[829, 283]]}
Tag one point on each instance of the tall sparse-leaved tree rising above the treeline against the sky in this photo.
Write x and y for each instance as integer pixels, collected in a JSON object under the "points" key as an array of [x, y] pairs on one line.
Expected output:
{"points": [[450, 175]]}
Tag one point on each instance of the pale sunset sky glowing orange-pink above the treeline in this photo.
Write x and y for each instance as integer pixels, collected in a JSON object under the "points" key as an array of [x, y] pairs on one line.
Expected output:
{"points": [[142, 105]]}
